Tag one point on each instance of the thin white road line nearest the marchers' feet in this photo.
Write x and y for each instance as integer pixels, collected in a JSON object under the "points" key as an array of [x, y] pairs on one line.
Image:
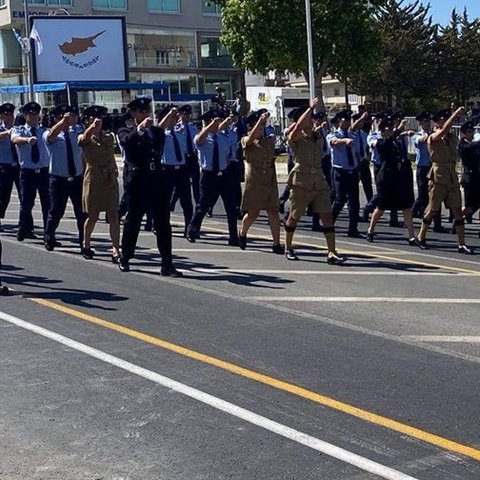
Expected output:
{"points": [[330, 272]]}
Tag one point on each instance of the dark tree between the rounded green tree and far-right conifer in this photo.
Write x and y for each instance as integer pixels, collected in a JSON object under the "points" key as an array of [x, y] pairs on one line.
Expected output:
{"points": [[405, 39]]}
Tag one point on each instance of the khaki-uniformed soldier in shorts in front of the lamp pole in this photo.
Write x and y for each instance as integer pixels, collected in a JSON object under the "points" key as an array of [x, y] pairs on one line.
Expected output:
{"points": [[307, 182]]}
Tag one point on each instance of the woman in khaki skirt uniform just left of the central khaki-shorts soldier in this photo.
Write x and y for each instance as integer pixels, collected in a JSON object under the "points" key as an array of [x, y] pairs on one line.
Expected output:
{"points": [[261, 190]]}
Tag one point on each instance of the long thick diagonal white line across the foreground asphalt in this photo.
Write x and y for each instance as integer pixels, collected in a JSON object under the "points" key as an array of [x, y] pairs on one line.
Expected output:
{"points": [[307, 440]]}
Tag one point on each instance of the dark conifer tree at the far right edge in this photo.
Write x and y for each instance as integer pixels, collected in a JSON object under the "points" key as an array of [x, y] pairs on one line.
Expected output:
{"points": [[457, 53]]}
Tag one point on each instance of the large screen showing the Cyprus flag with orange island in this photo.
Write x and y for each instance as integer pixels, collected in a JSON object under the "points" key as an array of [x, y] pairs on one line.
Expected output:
{"points": [[79, 49]]}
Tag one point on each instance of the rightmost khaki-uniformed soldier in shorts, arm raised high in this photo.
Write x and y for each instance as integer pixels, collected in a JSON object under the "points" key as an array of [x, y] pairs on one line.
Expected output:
{"points": [[443, 179]]}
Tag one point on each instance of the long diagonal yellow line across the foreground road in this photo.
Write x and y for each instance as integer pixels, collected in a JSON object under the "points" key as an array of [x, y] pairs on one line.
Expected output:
{"points": [[323, 400]]}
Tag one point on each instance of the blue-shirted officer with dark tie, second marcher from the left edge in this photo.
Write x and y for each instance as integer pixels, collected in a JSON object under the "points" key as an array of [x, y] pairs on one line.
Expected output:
{"points": [[34, 161]]}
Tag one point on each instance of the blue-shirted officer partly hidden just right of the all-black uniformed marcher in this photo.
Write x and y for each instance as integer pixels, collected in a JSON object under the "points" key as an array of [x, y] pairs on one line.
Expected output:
{"points": [[174, 162]]}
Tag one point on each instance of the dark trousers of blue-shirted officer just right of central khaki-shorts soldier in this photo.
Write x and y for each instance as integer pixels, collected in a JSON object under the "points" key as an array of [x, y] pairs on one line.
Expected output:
{"points": [[346, 186]]}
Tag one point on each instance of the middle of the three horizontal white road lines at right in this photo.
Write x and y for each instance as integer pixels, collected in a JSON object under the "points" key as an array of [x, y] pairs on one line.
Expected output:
{"points": [[433, 301]]}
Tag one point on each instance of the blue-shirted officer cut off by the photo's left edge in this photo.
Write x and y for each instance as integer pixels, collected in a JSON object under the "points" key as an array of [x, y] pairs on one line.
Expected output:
{"points": [[9, 169]]}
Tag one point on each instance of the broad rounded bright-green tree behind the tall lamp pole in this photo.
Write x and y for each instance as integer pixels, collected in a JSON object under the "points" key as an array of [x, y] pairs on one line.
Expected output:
{"points": [[264, 35]]}
